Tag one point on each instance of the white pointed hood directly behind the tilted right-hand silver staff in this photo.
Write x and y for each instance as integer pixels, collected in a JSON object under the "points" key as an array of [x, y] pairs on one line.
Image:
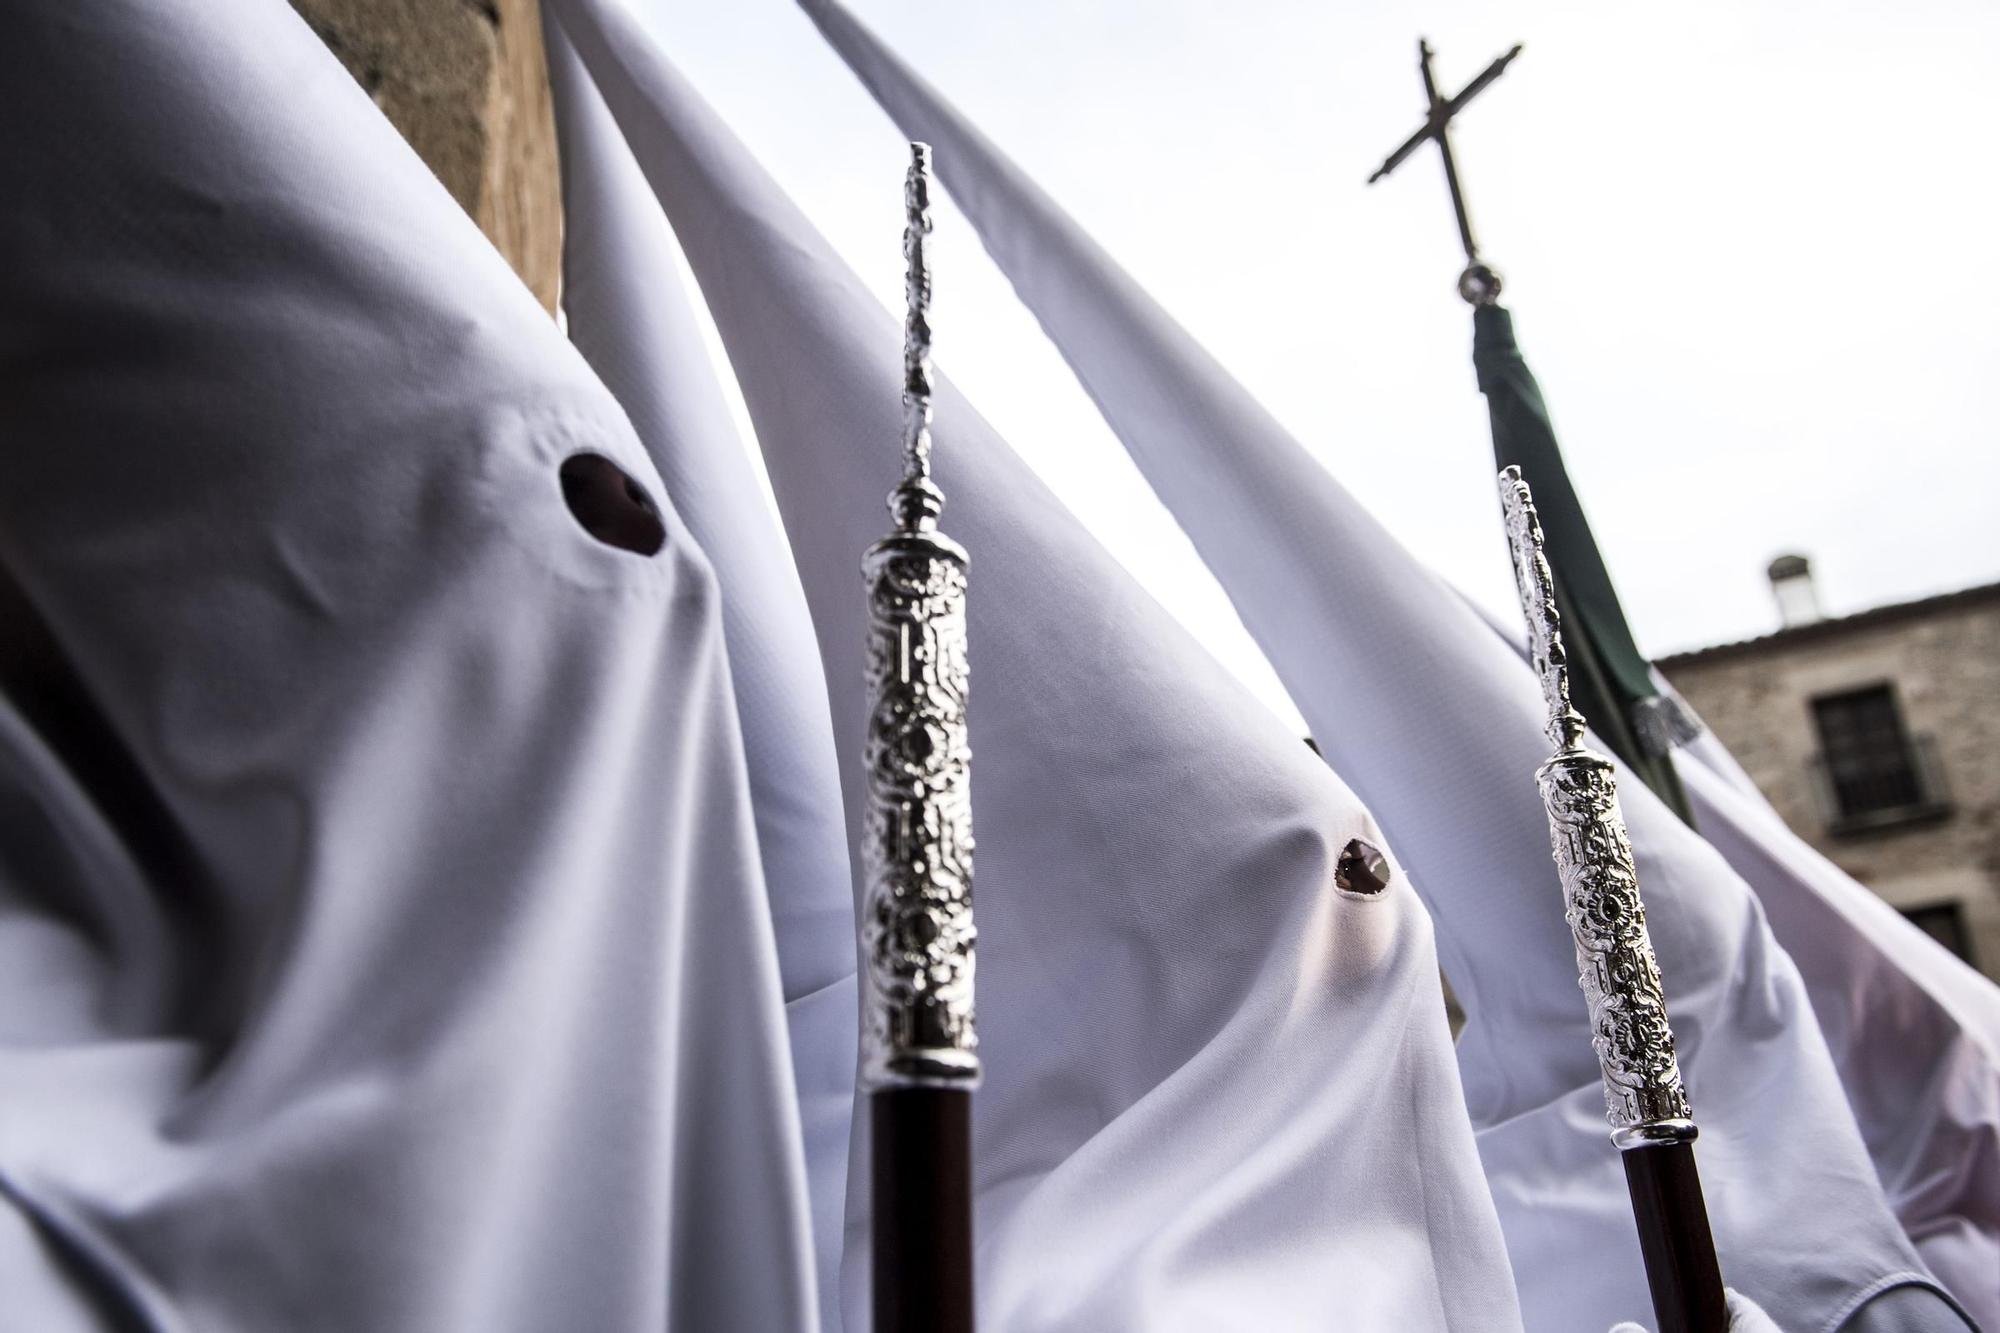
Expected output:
{"points": [[1439, 730]]}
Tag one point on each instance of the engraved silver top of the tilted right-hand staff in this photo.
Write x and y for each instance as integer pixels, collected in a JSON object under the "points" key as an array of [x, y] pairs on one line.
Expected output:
{"points": [[1615, 962]]}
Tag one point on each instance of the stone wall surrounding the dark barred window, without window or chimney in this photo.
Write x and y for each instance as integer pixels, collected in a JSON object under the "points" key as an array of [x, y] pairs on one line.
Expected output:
{"points": [[1945, 661]]}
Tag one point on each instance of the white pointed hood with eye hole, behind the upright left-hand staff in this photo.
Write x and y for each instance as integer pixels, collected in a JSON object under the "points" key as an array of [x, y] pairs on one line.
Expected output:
{"points": [[1219, 1092]]}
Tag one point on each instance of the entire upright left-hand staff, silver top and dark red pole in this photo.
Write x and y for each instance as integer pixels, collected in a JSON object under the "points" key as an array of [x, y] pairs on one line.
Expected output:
{"points": [[919, 1058]]}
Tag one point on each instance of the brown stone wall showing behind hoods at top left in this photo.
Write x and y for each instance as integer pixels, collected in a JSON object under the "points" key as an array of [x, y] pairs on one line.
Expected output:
{"points": [[467, 85]]}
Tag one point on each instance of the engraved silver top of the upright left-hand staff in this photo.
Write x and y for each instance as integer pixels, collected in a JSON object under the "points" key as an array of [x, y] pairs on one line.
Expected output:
{"points": [[917, 904]]}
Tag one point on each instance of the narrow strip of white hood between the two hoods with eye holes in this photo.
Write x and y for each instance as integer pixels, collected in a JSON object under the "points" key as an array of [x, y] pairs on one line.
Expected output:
{"points": [[633, 321]]}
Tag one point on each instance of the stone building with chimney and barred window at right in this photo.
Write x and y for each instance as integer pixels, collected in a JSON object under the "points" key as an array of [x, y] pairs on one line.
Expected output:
{"points": [[1877, 738]]}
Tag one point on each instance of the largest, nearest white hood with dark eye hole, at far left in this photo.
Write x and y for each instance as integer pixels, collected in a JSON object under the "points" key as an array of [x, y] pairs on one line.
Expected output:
{"points": [[383, 928]]}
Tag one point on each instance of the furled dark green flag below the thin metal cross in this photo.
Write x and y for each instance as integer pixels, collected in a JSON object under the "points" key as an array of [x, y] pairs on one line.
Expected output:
{"points": [[1611, 682]]}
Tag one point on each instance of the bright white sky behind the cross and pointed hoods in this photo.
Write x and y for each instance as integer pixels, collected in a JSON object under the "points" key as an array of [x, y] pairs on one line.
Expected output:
{"points": [[1747, 247]]}
